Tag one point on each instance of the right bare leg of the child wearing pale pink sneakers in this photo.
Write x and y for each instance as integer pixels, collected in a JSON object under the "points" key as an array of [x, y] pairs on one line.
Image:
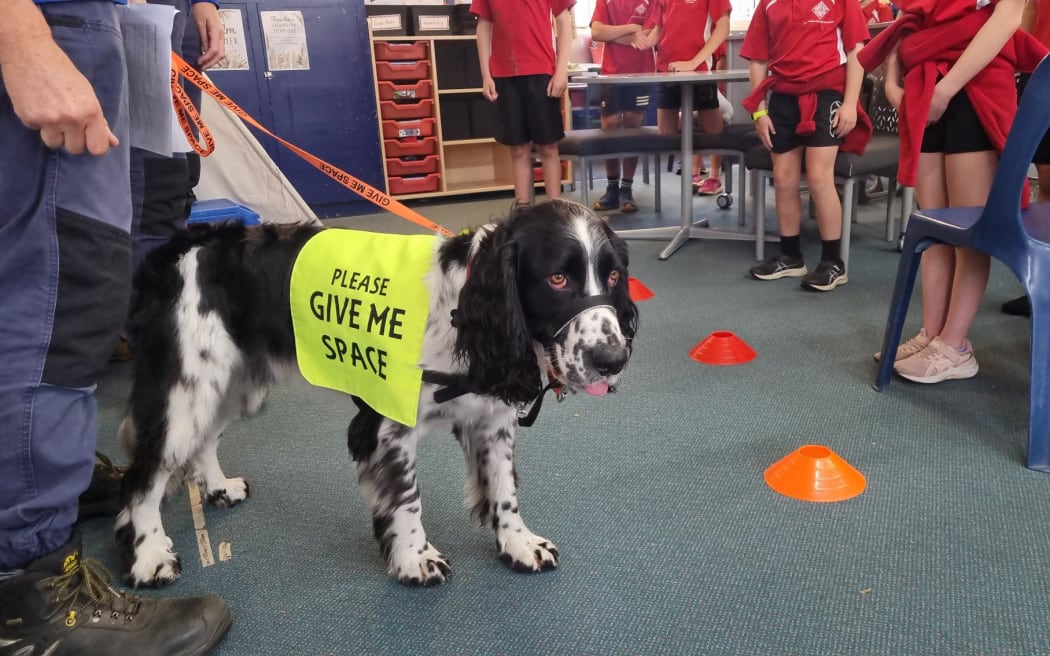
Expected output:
{"points": [[970, 178]]}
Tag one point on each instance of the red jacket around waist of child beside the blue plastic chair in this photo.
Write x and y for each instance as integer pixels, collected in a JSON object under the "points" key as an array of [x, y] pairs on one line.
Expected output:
{"points": [[932, 36]]}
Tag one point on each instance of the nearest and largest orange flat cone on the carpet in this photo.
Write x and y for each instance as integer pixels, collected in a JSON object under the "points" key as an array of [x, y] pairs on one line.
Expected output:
{"points": [[815, 473]]}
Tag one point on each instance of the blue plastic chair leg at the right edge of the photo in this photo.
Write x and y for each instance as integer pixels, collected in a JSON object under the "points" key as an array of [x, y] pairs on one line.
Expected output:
{"points": [[1039, 414]]}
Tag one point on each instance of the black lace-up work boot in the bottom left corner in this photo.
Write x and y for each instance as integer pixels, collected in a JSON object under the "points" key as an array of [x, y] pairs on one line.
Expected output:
{"points": [[61, 605]]}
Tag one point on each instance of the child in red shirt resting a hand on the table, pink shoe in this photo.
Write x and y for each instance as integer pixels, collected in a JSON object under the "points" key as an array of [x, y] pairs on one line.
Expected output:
{"points": [[688, 34]]}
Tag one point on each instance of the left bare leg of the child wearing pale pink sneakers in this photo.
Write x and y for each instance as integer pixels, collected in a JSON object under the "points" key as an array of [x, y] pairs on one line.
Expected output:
{"points": [[938, 262]]}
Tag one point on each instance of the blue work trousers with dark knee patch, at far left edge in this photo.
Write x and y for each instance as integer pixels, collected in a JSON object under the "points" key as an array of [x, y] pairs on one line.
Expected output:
{"points": [[66, 268]]}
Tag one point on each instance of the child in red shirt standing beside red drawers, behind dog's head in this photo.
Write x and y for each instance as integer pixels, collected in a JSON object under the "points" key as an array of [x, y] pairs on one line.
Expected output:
{"points": [[527, 76]]}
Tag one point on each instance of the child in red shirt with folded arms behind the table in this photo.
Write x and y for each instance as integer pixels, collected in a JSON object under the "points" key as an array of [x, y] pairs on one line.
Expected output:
{"points": [[621, 26]]}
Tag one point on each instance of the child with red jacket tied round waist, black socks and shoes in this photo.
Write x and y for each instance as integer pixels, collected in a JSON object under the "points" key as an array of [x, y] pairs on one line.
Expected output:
{"points": [[806, 55]]}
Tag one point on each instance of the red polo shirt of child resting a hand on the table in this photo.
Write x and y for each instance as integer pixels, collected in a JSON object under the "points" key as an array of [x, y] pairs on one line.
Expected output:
{"points": [[686, 27]]}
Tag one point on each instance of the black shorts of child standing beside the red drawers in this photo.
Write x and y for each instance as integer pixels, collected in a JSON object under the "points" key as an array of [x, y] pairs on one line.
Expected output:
{"points": [[527, 113]]}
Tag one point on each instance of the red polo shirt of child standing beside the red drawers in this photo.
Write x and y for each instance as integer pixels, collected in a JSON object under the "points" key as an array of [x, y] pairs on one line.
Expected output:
{"points": [[523, 40]]}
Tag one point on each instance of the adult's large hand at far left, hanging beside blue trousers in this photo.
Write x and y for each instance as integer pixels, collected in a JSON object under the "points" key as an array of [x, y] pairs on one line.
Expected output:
{"points": [[52, 96]]}
